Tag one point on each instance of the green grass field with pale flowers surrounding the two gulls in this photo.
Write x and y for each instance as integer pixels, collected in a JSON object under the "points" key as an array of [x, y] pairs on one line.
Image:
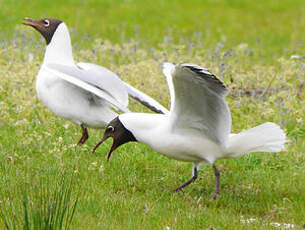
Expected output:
{"points": [[248, 44]]}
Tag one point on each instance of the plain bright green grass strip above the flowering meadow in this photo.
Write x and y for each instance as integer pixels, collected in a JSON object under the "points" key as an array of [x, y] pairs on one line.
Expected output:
{"points": [[272, 25]]}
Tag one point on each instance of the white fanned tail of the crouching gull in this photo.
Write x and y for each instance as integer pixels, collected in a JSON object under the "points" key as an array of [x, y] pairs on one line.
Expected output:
{"points": [[268, 137]]}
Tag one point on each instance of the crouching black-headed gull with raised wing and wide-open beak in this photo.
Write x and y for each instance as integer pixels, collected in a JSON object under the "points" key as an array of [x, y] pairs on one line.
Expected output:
{"points": [[198, 126]]}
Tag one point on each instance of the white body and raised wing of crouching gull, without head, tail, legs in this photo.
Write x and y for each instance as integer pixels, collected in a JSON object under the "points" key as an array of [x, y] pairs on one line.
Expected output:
{"points": [[198, 125]]}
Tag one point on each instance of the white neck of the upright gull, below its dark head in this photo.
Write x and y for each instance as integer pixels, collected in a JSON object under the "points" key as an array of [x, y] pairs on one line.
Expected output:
{"points": [[59, 49]]}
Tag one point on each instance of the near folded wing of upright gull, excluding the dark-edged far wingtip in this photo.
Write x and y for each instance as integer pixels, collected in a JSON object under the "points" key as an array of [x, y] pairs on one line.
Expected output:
{"points": [[99, 81]]}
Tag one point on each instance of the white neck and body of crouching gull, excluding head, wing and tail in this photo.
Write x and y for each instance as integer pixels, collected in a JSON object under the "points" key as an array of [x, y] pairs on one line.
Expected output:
{"points": [[185, 144]]}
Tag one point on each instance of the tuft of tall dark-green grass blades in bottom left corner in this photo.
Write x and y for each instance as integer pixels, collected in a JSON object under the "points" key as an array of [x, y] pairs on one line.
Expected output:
{"points": [[46, 205]]}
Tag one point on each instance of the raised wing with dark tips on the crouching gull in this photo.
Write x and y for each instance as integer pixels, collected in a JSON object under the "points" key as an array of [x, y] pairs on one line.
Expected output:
{"points": [[198, 101]]}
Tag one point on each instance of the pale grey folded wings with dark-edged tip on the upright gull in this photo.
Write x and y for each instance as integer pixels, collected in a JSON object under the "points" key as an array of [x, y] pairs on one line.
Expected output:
{"points": [[104, 84]]}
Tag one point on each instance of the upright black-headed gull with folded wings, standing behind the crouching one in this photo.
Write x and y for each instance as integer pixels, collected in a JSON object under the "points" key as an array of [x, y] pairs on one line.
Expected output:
{"points": [[83, 93]]}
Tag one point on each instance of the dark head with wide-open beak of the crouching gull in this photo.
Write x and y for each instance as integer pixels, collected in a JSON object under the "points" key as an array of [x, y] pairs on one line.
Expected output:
{"points": [[119, 134]]}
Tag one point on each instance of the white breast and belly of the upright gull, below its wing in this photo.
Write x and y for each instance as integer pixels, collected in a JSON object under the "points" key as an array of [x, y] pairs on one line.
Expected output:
{"points": [[71, 102]]}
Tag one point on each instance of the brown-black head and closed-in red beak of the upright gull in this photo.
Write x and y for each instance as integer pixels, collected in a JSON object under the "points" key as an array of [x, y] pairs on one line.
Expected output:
{"points": [[46, 26]]}
